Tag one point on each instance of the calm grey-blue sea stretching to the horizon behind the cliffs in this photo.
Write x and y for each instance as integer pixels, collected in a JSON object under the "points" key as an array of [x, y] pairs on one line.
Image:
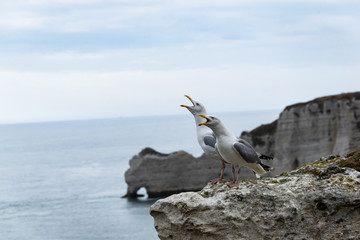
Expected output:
{"points": [[65, 180]]}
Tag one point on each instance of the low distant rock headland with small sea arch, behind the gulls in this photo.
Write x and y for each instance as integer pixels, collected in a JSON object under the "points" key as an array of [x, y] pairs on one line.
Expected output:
{"points": [[165, 174]]}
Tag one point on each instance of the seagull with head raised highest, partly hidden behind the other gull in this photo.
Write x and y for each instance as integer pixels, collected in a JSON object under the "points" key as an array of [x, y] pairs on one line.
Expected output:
{"points": [[205, 135]]}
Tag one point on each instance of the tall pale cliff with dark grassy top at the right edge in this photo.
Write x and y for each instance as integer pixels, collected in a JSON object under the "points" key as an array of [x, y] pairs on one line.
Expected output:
{"points": [[307, 131]]}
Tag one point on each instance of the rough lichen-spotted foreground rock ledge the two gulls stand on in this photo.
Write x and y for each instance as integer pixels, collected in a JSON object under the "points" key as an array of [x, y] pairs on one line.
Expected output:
{"points": [[317, 201]]}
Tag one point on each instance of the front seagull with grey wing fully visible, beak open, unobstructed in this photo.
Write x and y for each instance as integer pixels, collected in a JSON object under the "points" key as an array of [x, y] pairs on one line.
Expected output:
{"points": [[234, 150]]}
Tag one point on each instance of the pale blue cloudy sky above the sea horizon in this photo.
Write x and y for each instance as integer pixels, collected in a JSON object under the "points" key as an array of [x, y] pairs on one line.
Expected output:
{"points": [[86, 59]]}
